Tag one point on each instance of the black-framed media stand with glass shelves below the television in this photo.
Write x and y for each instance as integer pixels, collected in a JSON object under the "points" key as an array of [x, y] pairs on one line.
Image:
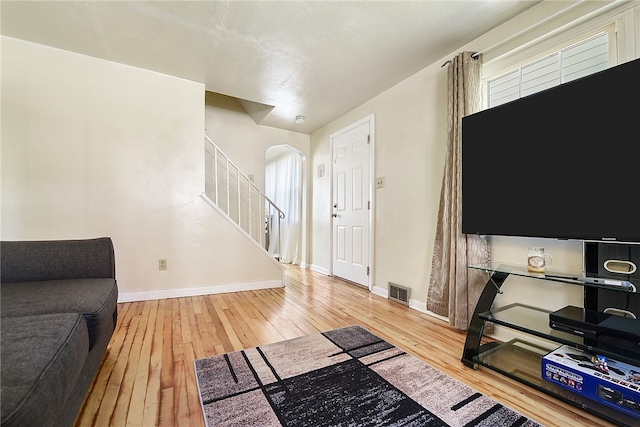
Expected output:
{"points": [[521, 358]]}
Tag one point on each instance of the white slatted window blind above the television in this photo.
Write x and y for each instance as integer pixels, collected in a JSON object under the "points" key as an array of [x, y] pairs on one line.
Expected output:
{"points": [[578, 60]]}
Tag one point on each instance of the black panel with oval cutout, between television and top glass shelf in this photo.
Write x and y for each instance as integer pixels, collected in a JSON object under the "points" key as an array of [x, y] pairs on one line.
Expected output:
{"points": [[619, 261]]}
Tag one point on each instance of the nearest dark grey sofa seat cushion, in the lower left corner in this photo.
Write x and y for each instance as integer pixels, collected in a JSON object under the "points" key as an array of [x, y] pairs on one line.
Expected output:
{"points": [[42, 357]]}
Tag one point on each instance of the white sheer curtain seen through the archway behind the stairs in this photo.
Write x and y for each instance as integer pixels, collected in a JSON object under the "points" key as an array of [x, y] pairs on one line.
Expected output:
{"points": [[283, 185]]}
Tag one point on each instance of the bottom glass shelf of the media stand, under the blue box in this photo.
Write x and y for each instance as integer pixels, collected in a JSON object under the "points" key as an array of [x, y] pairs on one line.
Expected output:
{"points": [[522, 361]]}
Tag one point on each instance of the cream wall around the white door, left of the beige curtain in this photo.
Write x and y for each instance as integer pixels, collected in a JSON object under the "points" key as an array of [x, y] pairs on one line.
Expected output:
{"points": [[408, 126]]}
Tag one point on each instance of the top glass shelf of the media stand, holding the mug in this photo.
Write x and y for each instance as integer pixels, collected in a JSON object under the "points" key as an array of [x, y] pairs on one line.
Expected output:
{"points": [[572, 278]]}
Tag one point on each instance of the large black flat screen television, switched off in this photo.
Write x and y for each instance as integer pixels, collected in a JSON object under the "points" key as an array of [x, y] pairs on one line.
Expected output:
{"points": [[563, 163]]}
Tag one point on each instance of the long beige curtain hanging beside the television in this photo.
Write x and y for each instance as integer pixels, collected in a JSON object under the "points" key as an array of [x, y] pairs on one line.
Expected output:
{"points": [[453, 288]]}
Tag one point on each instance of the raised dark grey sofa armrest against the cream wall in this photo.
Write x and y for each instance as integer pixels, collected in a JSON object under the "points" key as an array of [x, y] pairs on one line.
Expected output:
{"points": [[23, 261]]}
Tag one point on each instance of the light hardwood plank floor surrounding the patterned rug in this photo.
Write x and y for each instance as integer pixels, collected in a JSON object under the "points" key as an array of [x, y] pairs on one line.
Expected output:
{"points": [[147, 376]]}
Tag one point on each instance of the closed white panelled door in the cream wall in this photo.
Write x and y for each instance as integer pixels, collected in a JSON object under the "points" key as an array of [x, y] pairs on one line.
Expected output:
{"points": [[351, 202]]}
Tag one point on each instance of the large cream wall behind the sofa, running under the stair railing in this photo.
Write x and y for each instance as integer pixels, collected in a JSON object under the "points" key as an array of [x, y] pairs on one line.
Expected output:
{"points": [[95, 148]]}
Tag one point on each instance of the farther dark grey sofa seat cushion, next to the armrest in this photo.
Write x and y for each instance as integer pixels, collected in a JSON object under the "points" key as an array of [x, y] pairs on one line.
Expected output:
{"points": [[94, 298]]}
